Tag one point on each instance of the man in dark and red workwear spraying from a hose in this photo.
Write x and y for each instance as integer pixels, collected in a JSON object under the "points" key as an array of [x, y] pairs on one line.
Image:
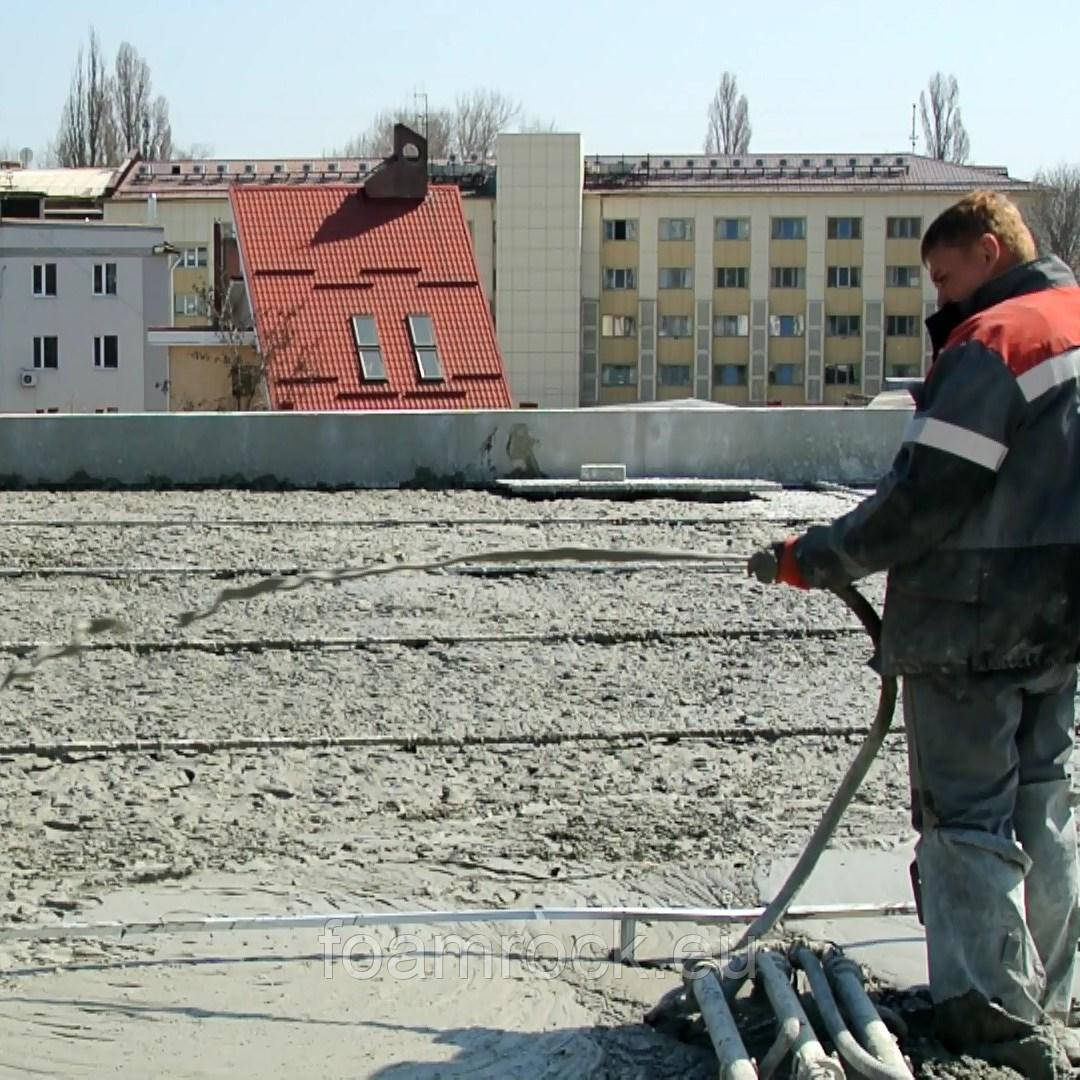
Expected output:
{"points": [[978, 524]]}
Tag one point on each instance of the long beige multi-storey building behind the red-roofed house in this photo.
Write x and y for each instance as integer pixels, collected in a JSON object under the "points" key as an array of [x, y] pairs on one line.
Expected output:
{"points": [[764, 279]]}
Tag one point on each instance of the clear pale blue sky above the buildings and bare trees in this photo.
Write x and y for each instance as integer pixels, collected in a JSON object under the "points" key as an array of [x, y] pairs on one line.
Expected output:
{"points": [[293, 78]]}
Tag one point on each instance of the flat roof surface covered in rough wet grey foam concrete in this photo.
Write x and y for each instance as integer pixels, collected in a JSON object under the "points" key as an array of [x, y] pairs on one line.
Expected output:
{"points": [[659, 735]]}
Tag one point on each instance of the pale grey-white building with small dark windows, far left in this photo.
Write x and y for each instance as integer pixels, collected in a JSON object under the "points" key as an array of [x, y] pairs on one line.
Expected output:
{"points": [[76, 302]]}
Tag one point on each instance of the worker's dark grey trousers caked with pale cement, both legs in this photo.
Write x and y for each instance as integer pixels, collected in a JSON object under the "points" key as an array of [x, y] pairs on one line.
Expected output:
{"points": [[990, 759]]}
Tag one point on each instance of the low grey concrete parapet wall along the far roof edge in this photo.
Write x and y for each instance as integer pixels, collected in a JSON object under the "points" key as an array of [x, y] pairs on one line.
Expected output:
{"points": [[792, 447]]}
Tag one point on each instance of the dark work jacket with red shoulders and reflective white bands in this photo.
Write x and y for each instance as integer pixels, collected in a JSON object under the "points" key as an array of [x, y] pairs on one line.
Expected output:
{"points": [[979, 520]]}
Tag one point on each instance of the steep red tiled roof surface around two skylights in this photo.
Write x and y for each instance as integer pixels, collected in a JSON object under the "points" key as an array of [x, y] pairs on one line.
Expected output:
{"points": [[314, 258]]}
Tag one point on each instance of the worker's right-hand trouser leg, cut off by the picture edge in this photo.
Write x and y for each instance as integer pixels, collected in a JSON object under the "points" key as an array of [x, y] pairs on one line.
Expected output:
{"points": [[1046, 829]]}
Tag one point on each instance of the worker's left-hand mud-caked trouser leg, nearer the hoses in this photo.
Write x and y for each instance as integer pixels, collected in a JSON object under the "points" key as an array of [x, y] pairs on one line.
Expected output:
{"points": [[962, 734]]}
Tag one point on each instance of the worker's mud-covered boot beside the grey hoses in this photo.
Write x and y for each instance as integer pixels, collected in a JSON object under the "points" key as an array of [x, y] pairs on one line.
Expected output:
{"points": [[973, 1025]]}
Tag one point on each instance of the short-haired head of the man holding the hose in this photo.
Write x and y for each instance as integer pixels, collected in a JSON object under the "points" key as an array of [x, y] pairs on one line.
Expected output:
{"points": [[974, 241]]}
